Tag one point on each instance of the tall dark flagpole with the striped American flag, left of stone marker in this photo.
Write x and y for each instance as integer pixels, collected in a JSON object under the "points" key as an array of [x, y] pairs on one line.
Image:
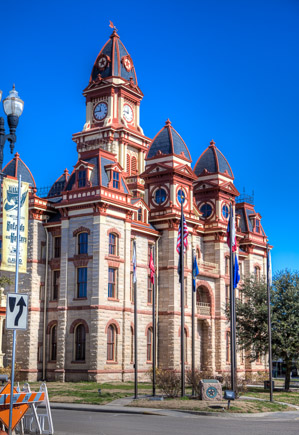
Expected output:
{"points": [[182, 304]]}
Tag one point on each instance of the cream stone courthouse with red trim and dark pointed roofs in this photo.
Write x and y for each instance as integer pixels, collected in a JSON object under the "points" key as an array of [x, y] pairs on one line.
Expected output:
{"points": [[126, 186]]}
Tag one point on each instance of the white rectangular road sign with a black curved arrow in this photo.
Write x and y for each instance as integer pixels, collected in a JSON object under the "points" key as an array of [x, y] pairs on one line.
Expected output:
{"points": [[16, 311]]}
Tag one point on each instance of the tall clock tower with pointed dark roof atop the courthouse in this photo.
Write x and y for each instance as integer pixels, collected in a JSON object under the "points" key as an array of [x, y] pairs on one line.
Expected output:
{"points": [[113, 112]]}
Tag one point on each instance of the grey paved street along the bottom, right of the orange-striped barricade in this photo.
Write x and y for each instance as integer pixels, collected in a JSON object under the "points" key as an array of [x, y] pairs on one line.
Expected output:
{"points": [[94, 423]]}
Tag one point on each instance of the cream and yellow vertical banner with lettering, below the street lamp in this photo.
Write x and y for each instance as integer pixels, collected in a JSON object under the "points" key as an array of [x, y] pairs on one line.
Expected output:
{"points": [[10, 219]]}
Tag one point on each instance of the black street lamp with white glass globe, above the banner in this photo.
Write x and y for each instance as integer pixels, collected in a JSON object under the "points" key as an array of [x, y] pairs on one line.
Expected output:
{"points": [[13, 108]]}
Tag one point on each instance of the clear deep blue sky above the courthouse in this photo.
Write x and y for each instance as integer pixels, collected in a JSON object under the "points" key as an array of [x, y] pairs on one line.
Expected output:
{"points": [[222, 70]]}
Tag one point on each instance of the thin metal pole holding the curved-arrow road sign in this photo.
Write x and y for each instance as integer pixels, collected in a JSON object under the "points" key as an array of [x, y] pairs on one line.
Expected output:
{"points": [[16, 291]]}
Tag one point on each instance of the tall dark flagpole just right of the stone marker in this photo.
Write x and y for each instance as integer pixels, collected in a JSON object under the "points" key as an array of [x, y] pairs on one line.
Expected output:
{"points": [[232, 304]]}
